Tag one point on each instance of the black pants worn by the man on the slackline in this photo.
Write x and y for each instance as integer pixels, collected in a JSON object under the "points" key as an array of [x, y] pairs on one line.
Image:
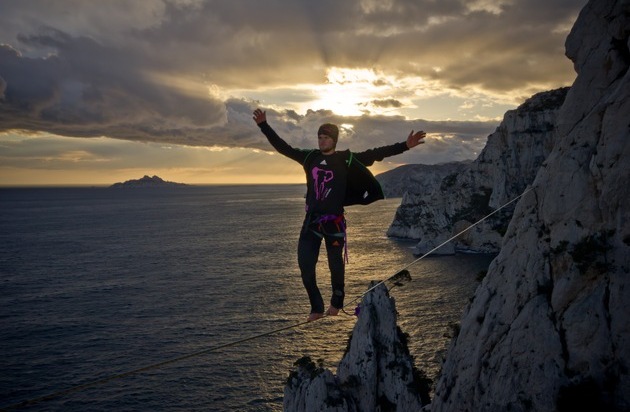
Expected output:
{"points": [[308, 253]]}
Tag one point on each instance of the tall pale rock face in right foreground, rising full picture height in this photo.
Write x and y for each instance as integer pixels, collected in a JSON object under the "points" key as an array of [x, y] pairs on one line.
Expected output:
{"points": [[548, 328]]}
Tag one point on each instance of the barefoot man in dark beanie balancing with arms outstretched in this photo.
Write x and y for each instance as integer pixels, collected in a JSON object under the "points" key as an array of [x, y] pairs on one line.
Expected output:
{"points": [[334, 180]]}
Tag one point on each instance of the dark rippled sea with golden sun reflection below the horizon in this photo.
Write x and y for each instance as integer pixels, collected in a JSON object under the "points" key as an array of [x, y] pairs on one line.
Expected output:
{"points": [[190, 298]]}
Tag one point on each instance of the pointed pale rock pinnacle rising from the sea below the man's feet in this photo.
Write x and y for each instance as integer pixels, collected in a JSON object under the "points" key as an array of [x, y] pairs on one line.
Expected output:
{"points": [[376, 372]]}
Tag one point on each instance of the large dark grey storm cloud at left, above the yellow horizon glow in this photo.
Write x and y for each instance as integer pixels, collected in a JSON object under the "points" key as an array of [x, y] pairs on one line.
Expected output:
{"points": [[88, 89]]}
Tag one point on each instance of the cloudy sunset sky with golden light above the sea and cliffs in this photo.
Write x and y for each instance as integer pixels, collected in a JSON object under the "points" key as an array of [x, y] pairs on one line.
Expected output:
{"points": [[93, 93]]}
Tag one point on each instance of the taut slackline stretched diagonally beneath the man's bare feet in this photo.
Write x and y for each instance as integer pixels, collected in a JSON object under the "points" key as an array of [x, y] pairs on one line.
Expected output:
{"points": [[400, 274]]}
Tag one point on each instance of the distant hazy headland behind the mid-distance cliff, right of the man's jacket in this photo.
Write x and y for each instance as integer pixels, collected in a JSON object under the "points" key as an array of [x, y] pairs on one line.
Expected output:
{"points": [[417, 178]]}
